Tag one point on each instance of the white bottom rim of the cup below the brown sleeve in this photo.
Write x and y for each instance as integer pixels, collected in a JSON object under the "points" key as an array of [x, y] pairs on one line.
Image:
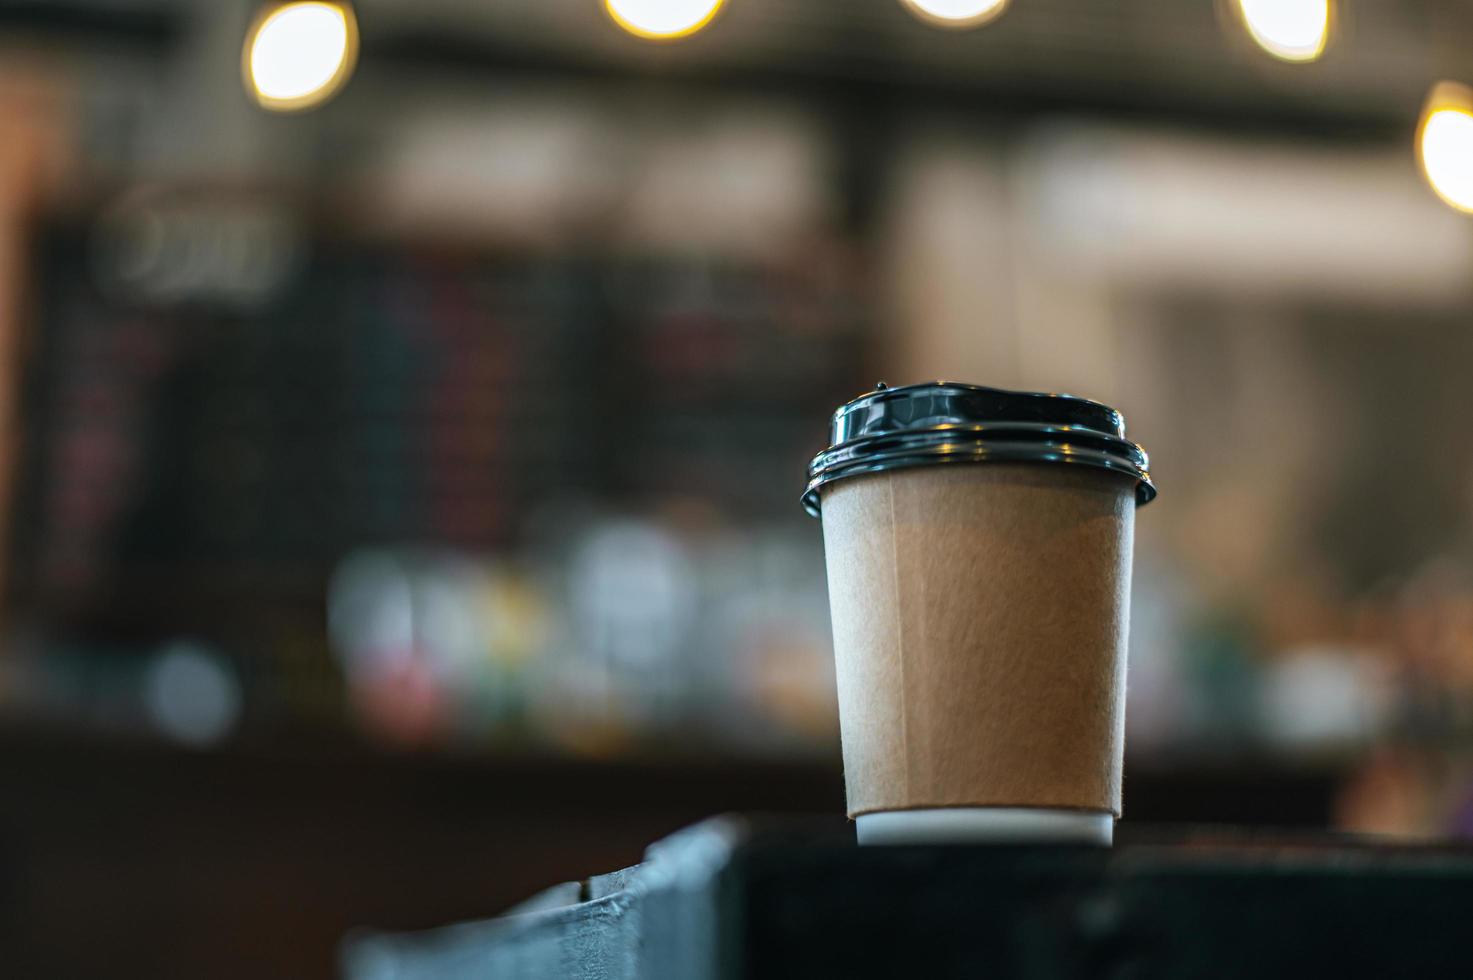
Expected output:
{"points": [[986, 825]]}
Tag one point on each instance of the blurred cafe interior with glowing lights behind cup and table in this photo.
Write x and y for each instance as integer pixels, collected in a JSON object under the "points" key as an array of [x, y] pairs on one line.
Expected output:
{"points": [[404, 409]]}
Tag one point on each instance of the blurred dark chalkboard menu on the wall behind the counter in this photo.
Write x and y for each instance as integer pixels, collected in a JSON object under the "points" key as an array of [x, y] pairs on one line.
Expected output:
{"points": [[400, 394]]}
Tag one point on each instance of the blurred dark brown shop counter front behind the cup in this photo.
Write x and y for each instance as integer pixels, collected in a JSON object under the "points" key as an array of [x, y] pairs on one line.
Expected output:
{"points": [[257, 858]]}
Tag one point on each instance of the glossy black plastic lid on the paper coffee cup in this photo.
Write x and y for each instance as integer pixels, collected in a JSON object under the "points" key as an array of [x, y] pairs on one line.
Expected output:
{"points": [[945, 422]]}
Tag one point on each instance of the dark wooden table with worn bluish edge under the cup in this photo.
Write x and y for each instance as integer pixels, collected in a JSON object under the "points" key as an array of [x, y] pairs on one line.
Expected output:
{"points": [[731, 900]]}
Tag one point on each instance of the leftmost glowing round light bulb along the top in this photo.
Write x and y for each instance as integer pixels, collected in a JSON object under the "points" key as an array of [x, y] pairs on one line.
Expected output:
{"points": [[300, 55]]}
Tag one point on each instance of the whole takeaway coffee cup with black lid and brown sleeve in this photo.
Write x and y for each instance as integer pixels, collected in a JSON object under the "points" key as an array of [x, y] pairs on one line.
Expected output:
{"points": [[979, 549]]}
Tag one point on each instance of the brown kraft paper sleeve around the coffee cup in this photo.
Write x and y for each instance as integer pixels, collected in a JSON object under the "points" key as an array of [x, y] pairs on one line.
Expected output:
{"points": [[980, 621]]}
